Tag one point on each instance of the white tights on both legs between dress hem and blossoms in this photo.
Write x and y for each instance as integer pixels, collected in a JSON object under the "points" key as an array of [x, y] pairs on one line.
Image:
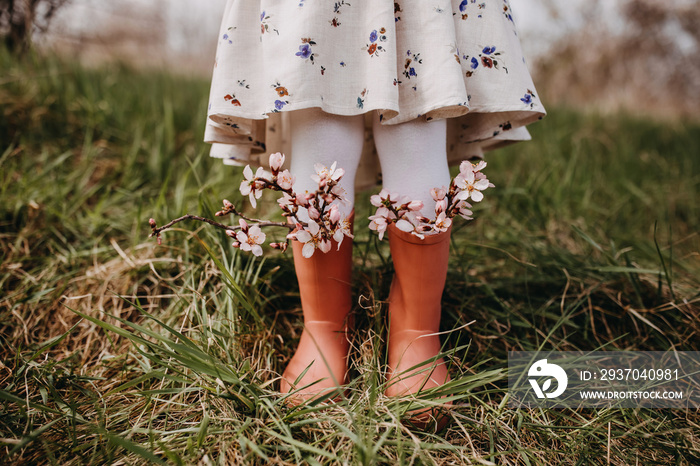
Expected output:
{"points": [[413, 155]]}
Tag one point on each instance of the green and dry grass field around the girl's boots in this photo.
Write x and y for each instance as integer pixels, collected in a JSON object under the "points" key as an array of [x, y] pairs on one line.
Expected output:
{"points": [[115, 349]]}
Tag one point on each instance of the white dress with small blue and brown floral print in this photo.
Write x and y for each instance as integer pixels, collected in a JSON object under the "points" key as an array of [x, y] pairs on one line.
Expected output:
{"points": [[405, 59]]}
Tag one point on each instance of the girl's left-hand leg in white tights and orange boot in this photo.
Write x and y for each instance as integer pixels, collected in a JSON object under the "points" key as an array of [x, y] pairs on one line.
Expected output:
{"points": [[324, 279]]}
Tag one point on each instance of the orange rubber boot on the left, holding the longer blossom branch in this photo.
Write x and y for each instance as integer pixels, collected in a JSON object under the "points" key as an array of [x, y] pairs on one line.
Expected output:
{"points": [[326, 300]]}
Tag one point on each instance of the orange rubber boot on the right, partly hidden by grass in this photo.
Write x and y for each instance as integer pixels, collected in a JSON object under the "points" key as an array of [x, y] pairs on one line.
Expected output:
{"points": [[420, 272]]}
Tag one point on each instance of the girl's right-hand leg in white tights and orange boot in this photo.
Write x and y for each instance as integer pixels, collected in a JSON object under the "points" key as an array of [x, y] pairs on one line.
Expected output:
{"points": [[413, 158]]}
